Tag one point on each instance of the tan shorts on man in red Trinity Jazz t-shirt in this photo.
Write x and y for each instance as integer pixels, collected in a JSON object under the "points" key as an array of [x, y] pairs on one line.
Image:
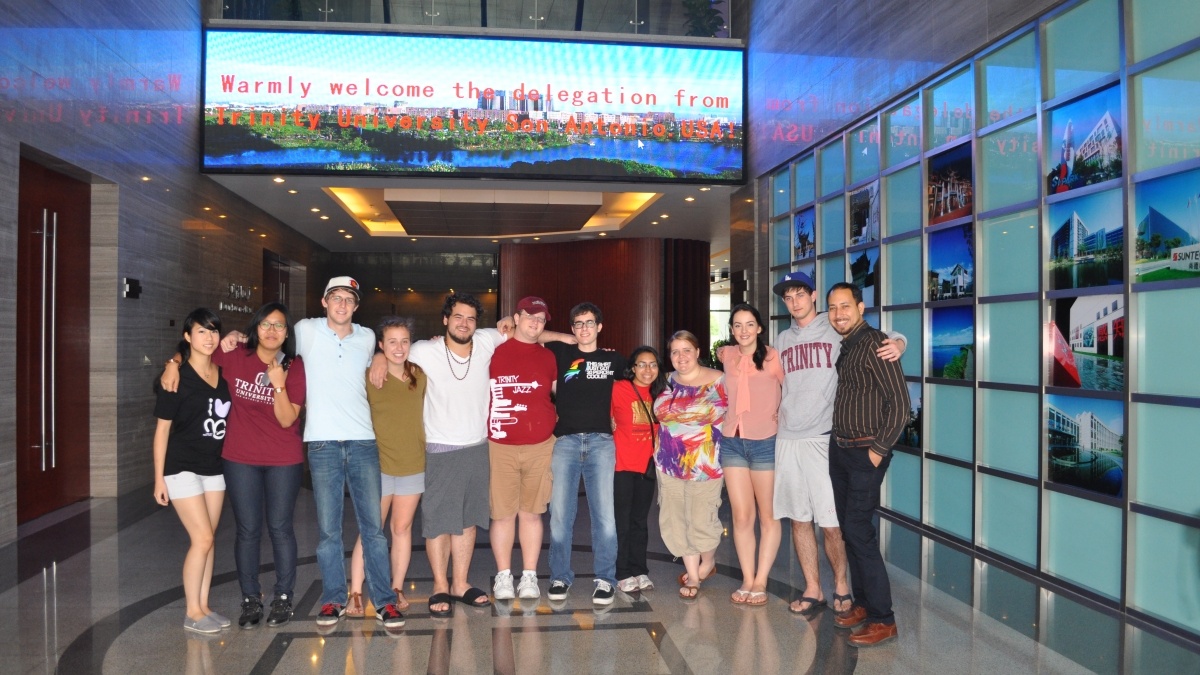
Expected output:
{"points": [[521, 479]]}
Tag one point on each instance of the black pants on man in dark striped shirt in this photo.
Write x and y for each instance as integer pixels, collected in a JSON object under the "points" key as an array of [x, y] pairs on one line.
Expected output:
{"points": [[856, 495]]}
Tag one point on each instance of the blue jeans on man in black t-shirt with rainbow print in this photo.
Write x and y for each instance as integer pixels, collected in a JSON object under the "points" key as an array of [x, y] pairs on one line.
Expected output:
{"points": [[595, 458]]}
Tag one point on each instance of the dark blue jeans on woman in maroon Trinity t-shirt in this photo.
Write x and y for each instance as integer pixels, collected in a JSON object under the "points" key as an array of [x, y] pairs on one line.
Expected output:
{"points": [[254, 492]]}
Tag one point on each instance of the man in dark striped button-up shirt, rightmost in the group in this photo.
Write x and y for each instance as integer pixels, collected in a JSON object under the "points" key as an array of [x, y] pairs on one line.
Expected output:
{"points": [[871, 410]]}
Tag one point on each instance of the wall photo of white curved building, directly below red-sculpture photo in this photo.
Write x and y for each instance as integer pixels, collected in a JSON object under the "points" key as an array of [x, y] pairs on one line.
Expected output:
{"points": [[1085, 444]]}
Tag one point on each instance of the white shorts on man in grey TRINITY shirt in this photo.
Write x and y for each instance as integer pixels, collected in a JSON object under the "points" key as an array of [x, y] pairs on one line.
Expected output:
{"points": [[803, 491]]}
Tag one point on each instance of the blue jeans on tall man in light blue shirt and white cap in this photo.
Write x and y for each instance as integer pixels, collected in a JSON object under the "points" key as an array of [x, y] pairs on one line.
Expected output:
{"points": [[333, 465]]}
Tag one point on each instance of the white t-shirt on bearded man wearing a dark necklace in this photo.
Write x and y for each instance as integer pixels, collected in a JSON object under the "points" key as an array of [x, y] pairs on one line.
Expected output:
{"points": [[457, 410]]}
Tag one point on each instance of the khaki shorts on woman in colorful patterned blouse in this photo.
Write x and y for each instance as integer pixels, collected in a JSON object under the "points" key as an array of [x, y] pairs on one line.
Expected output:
{"points": [[688, 515]]}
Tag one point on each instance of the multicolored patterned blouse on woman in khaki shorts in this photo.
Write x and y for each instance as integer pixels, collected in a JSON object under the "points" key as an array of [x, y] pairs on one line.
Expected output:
{"points": [[691, 431]]}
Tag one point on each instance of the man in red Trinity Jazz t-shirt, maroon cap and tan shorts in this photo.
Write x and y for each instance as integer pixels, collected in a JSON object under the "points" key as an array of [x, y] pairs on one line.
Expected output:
{"points": [[520, 443]]}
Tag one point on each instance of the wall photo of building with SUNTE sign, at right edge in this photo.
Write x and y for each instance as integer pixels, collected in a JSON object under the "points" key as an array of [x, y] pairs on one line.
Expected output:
{"points": [[1168, 241]]}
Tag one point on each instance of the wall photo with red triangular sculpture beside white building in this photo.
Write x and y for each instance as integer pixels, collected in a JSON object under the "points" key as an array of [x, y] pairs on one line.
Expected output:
{"points": [[1087, 343]]}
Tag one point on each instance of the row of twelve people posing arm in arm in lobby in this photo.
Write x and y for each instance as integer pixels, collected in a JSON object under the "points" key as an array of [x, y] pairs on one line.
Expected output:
{"points": [[493, 428]]}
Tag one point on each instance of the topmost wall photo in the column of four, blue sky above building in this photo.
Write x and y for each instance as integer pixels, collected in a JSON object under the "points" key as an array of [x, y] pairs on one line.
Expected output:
{"points": [[1084, 142]]}
